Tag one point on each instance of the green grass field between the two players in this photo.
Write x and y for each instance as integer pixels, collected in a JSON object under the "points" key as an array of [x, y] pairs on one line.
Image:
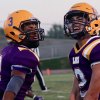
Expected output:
{"points": [[59, 87]]}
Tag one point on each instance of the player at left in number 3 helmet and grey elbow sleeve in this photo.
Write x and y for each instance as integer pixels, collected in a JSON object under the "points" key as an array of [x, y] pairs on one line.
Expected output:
{"points": [[18, 62]]}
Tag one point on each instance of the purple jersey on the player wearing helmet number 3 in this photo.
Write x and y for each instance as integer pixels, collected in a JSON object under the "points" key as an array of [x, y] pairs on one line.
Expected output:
{"points": [[18, 58]]}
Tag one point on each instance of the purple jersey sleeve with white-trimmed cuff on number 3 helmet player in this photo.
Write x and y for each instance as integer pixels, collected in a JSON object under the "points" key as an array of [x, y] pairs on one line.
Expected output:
{"points": [[24, 59]]}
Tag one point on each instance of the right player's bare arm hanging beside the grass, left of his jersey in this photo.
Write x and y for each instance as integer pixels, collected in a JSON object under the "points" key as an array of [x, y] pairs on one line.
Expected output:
{"points": [[74, 95]]}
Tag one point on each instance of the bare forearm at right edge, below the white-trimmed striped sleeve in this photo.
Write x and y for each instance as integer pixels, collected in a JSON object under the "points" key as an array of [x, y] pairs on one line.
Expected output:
{"points": [[94, 88]]}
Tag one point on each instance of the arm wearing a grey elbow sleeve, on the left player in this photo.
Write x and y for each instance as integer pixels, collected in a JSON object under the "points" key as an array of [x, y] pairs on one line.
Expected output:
{"points": [[14, 85]]}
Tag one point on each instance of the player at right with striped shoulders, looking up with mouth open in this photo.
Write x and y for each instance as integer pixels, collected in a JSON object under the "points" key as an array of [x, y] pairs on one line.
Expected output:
{"points": [[85, 55]]}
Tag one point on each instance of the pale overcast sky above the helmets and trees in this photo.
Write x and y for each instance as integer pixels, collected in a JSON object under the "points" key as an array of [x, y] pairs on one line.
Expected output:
{"points": [[49, 12]]}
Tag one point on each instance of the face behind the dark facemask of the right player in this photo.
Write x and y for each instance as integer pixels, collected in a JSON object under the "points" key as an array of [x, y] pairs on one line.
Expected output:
{"points": [[76, 24]]}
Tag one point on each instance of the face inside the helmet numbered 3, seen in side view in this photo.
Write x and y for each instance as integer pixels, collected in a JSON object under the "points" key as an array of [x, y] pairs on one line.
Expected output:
{"points": [[30, 28]]}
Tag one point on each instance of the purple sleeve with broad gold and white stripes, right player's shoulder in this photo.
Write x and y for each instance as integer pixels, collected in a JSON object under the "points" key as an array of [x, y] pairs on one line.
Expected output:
{"points": [[92, 52]]}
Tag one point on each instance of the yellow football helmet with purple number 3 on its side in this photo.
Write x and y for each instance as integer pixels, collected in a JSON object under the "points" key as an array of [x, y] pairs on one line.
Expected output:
{"points": [[13, 26]]}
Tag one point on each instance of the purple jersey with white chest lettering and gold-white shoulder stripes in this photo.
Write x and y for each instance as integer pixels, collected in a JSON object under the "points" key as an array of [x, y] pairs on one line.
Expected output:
{"points": [[83, 59]]}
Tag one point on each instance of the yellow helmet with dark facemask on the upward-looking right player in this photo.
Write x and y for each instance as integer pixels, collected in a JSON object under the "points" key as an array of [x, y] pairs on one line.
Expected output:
{"points": [[84, 11]]}
